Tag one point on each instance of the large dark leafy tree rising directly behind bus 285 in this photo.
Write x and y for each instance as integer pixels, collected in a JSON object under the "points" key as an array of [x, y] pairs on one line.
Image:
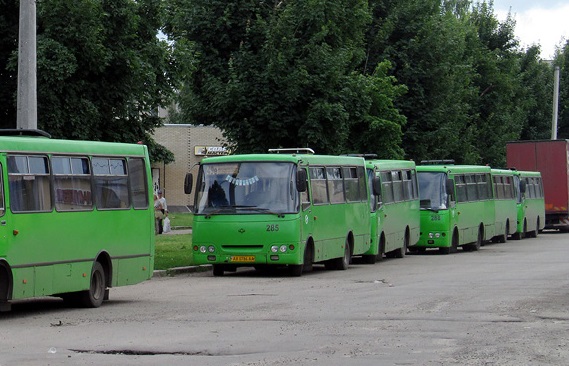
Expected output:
{"points": [[273, 74]]}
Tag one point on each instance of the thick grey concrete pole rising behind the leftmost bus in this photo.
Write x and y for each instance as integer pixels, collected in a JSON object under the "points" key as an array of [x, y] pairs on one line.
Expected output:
{"points": [[27, 112]]}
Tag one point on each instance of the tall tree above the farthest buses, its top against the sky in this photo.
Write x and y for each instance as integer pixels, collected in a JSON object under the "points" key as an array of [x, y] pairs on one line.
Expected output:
{"points": [[500, 105]]}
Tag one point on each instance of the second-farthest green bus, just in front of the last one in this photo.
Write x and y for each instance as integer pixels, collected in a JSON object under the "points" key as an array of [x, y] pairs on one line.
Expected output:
{"points": [[506, 210]]}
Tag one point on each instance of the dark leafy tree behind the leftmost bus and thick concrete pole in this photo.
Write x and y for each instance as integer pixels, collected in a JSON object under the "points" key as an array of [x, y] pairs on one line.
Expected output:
{"points": [[102, 72]]}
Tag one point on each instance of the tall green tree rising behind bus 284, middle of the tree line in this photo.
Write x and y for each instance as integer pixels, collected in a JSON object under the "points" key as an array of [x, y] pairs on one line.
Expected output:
{"points": [[426, 41]]}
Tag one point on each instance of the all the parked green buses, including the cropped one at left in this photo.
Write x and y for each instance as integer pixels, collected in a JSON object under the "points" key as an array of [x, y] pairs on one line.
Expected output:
{"points": [[76, 216]]}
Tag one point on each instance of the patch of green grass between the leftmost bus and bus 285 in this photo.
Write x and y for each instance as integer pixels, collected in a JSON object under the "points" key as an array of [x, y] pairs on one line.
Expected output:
{"points": [[173, 251]]}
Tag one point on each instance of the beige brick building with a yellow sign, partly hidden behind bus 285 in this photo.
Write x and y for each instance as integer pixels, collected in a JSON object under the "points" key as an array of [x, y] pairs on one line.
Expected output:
{"points": [[189, 144]]}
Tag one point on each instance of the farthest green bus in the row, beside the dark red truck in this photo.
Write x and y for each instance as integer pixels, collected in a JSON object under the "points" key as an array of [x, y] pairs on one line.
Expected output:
{"points": [[530, 204]]}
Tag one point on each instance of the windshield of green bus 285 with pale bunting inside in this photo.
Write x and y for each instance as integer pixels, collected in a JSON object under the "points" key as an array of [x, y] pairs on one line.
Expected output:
{"points": [[247, 187]]}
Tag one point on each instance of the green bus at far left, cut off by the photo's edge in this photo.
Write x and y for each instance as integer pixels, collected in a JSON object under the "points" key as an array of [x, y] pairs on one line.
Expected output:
{"points": [[75, 218]]}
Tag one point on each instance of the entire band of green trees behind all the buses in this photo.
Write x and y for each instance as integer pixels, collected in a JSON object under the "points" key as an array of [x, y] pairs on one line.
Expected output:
{"points": [[420, 79]]}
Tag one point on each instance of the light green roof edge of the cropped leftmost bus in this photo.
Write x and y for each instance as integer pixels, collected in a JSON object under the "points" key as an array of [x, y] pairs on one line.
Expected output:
{"points": [[26, 144]]}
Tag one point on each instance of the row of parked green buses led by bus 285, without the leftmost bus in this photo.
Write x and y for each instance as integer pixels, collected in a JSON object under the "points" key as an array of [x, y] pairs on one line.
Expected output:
{"points": [[293, 208]]}
